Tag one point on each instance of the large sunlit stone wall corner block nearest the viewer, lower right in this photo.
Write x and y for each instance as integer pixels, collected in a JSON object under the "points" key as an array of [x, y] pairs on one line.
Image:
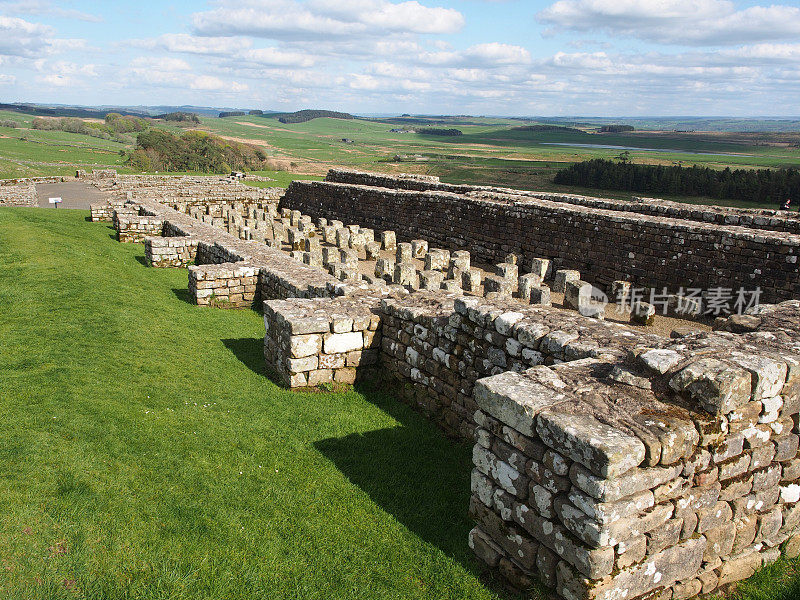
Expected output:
{"points": [[678, 478]]}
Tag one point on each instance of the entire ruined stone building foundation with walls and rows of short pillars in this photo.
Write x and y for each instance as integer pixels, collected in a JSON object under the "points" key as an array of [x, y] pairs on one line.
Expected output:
{"points": [[610, 462]]}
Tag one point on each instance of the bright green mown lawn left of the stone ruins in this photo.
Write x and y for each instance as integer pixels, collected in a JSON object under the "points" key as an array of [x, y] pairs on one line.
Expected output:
{"points": [[145, 454]]}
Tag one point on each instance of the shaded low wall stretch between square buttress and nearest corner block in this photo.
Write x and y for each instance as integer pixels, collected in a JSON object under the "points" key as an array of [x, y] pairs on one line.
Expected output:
{"points": [[437, 345]]}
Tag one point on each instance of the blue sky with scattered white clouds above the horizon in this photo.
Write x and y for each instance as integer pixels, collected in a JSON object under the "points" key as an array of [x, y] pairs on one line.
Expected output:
{"points": [[478, 57]]}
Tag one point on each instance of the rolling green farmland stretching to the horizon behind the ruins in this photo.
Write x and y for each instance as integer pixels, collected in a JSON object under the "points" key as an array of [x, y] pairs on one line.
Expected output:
{"points": [[491, 151]]}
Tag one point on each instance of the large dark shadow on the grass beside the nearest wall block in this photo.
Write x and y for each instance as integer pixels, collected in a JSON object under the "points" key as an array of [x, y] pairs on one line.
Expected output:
{"points": [[414, 473]]}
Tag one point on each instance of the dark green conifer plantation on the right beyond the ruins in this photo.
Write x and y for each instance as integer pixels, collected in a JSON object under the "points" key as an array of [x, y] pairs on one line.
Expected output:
{"points": [[753, 185]]}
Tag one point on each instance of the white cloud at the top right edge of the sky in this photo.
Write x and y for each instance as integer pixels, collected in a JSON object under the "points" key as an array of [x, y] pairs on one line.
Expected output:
{"points": [[679, 22]]}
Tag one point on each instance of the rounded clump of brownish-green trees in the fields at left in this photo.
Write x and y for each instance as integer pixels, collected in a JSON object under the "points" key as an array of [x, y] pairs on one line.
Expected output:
{"points": [[159, 150]]}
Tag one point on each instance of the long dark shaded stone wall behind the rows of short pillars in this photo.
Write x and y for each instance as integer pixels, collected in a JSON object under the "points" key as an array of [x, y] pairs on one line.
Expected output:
{"points": [[651, 252]]}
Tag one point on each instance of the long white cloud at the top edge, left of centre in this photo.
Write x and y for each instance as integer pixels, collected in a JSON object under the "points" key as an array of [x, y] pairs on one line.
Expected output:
{"points": [[293, 19]]}
